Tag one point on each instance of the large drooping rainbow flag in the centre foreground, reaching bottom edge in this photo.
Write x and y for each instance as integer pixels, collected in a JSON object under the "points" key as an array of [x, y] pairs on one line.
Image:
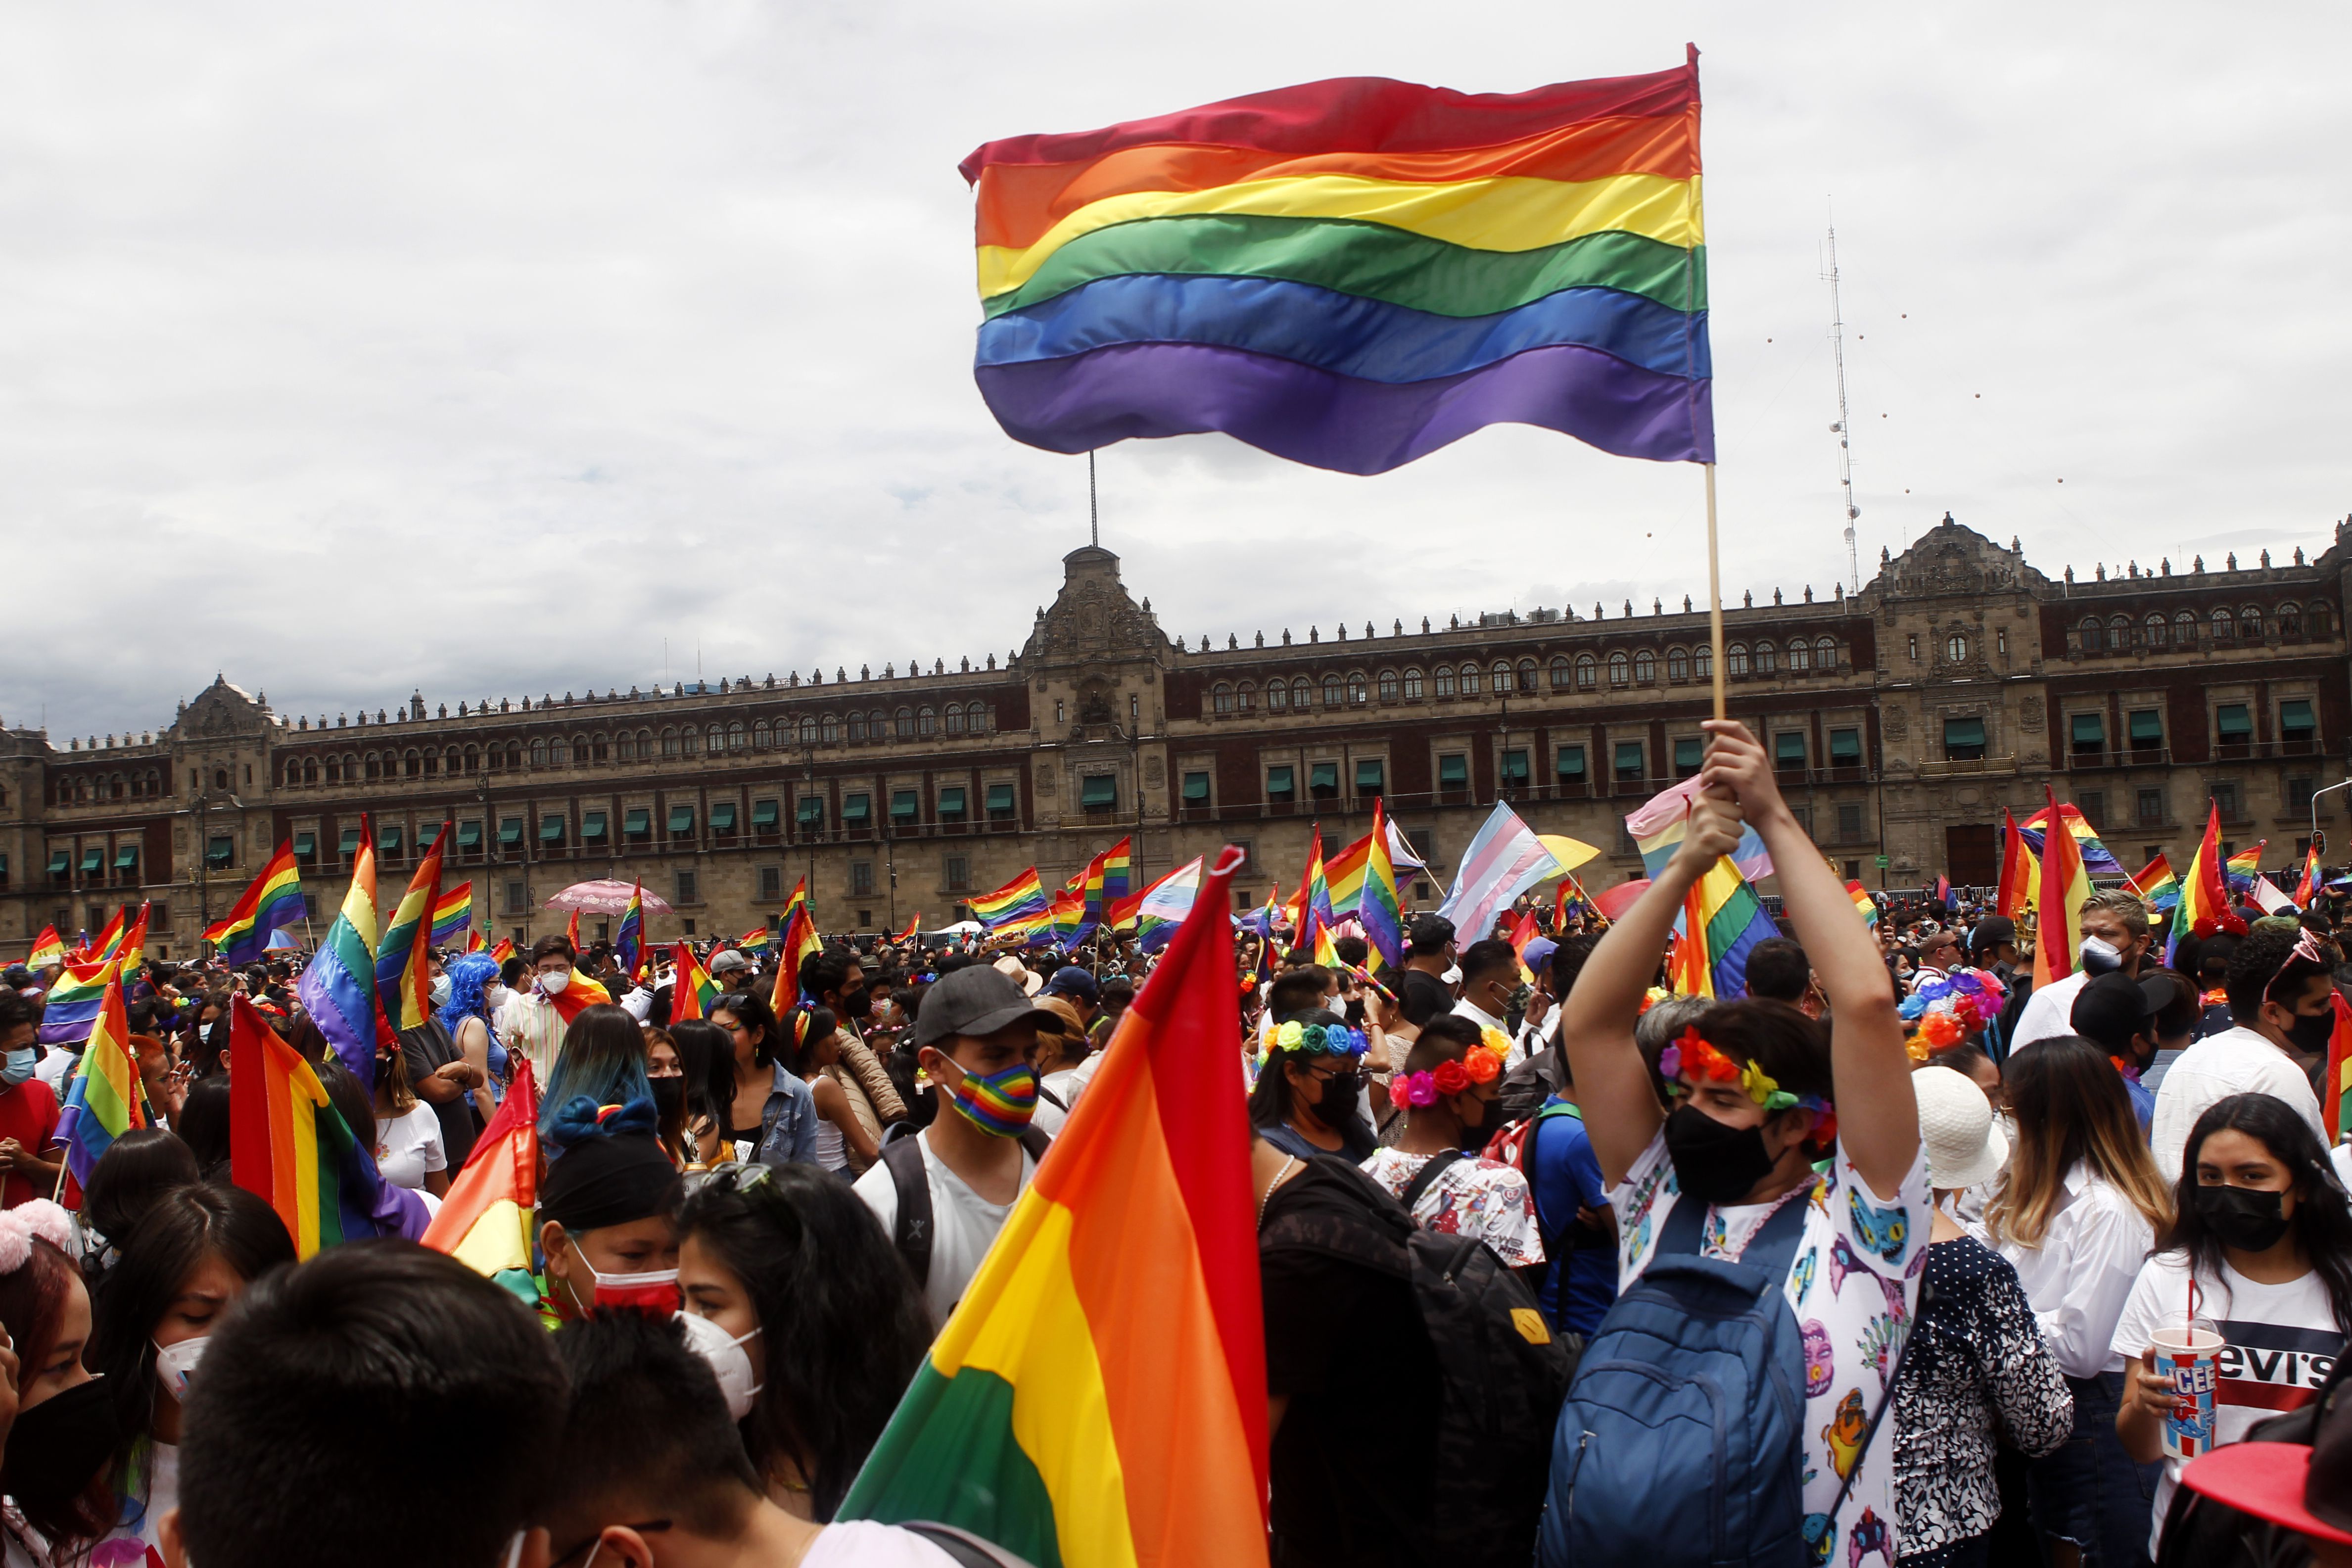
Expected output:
{"points": [[1093, 1402]]}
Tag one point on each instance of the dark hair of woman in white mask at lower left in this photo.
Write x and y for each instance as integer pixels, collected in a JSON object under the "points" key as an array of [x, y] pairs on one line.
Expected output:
{"points": [[185, 1228]]}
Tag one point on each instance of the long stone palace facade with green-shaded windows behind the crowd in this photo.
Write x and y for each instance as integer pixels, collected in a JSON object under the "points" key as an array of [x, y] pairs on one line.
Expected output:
{"points": [[1960, 683]]}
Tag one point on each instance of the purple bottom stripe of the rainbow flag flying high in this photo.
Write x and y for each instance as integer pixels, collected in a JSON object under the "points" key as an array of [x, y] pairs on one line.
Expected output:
{"points": [[1339, 422]]}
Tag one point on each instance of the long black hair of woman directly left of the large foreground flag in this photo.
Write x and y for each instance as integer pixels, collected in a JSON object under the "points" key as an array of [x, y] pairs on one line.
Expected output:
{"points": [[841, 1318]]}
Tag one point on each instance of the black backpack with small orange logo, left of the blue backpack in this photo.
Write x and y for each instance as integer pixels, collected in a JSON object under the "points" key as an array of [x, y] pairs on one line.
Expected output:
{"points": [[1502, 1379]]}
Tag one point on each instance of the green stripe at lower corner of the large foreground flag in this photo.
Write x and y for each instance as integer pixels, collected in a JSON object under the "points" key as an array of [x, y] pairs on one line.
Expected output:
{"points": [[949, 1456]]}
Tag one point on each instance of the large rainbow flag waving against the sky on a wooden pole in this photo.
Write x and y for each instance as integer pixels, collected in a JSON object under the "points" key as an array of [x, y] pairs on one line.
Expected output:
{"points": [[1356, 274]]}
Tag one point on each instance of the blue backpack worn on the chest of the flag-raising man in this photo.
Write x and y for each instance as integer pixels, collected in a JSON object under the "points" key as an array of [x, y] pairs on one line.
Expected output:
{"points": [[1681, 1440]]}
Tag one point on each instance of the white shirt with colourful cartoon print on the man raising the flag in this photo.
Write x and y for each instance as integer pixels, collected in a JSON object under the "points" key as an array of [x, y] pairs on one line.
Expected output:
{"points": [[1855, 1287]]}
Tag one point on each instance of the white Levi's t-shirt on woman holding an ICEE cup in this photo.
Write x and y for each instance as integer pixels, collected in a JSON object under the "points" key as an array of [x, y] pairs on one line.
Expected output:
{"points": [[2280, 1346]]}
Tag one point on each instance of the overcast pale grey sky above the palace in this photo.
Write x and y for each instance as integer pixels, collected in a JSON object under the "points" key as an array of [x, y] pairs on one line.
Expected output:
{"points": [[512, 349]]}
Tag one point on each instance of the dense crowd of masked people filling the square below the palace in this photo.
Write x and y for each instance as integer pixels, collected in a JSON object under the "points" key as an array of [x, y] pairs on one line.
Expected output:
{"points": [[1880, 1261]]}
